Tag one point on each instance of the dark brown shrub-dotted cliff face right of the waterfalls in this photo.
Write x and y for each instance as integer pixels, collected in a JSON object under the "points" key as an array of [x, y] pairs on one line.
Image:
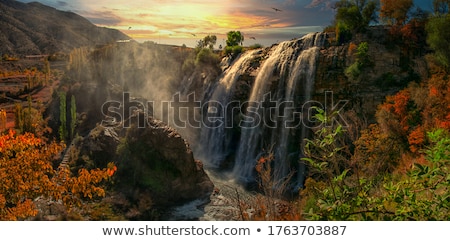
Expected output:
{"points": [[388, 72]]}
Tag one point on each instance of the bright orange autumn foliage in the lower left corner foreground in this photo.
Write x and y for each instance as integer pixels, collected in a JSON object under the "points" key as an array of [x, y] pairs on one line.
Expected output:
{"points": [[27, 173]]}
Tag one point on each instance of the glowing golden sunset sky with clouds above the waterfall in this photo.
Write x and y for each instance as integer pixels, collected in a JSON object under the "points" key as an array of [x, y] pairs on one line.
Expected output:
{"points": [[186, 21]]}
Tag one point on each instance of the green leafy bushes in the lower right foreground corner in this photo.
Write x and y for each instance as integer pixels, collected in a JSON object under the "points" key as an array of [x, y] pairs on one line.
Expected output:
{"points": [[343, 192]]}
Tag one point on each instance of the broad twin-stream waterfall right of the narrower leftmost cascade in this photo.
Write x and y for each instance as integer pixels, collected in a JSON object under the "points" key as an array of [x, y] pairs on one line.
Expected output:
{"points": [[290, 66]]}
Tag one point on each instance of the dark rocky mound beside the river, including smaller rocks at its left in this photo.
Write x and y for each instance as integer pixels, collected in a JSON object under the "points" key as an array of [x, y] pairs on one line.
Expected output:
{"points": [[156, 168]]}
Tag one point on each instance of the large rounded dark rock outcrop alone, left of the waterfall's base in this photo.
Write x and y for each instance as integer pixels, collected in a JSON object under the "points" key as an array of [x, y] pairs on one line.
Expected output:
{"points": [[162, 162]]}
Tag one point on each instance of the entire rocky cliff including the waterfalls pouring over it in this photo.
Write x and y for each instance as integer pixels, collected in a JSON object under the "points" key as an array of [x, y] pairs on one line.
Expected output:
{"points": [[289, 75]]}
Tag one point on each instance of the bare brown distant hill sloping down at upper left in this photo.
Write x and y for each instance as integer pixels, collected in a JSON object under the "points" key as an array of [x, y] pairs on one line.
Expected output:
{"points": [[34, 28]]}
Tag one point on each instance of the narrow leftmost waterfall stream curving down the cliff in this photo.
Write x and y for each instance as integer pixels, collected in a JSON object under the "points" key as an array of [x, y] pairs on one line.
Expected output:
{"points": [[215, 133]]}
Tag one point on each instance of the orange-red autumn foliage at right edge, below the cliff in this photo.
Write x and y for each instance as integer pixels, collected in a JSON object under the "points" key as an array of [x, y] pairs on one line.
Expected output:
{"points": [[420, 108]]}
